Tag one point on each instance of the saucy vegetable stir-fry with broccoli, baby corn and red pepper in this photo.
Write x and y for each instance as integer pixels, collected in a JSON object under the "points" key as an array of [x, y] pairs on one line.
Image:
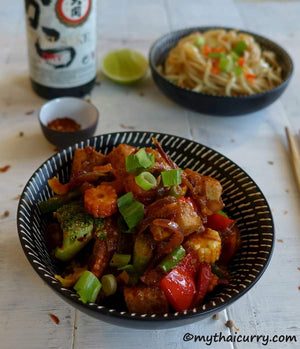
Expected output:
{"points": [[133, 227]]}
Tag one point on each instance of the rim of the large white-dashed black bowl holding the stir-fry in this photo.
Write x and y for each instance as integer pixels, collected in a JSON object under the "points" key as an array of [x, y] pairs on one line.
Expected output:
{"points": [[126, 315]]}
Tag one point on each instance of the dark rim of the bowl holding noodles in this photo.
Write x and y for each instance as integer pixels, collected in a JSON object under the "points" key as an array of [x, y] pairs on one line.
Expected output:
{"points": [[186, 31]]}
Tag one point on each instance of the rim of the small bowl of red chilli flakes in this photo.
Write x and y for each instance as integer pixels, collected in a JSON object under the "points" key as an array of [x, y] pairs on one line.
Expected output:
{"points": [[69, 133]]}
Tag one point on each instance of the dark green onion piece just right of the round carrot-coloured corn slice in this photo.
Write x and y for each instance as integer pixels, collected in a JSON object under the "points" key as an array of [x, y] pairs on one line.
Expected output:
{"points": [[131, 210]]}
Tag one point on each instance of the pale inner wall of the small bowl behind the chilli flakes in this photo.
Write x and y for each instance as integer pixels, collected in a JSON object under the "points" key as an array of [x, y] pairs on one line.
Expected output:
{"points": [[83, 112]]}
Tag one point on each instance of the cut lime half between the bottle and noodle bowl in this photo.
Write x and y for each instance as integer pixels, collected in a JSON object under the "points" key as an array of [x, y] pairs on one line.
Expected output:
{"points": [[124, 66]]}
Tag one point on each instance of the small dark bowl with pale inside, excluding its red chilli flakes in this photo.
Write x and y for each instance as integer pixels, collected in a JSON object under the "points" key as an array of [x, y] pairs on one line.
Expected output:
{"points": [[83, 112]]}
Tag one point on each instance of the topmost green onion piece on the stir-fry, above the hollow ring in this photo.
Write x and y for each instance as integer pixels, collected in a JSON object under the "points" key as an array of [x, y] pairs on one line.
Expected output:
{"points": [[140, 161]]}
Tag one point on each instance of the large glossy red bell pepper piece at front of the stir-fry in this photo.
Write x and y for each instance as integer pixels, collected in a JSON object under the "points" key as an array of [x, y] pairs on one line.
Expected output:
{"points": [[179, 285]]}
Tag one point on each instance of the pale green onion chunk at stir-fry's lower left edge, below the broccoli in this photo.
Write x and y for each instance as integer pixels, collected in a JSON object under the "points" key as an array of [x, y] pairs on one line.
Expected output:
{"points": [[87, 287]]}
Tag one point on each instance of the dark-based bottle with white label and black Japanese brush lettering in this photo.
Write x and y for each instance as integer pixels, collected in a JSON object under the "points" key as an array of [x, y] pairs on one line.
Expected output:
{"points": [[61, 37]]}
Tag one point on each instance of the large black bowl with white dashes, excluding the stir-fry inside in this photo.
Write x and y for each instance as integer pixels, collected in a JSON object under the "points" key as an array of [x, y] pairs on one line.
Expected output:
{"points": [[244, 202]]}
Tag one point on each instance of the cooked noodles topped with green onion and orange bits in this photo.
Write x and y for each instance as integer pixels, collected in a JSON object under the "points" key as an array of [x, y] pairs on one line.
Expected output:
{"points": [[197, 65]]}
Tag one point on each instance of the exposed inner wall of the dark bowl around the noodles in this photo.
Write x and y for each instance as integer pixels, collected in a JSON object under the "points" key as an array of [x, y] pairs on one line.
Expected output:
{"points": [[160, 49]]}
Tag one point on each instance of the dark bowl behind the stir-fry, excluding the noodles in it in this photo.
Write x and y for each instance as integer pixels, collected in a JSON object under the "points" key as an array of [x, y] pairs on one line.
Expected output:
{"points": [[212, 104]]}
